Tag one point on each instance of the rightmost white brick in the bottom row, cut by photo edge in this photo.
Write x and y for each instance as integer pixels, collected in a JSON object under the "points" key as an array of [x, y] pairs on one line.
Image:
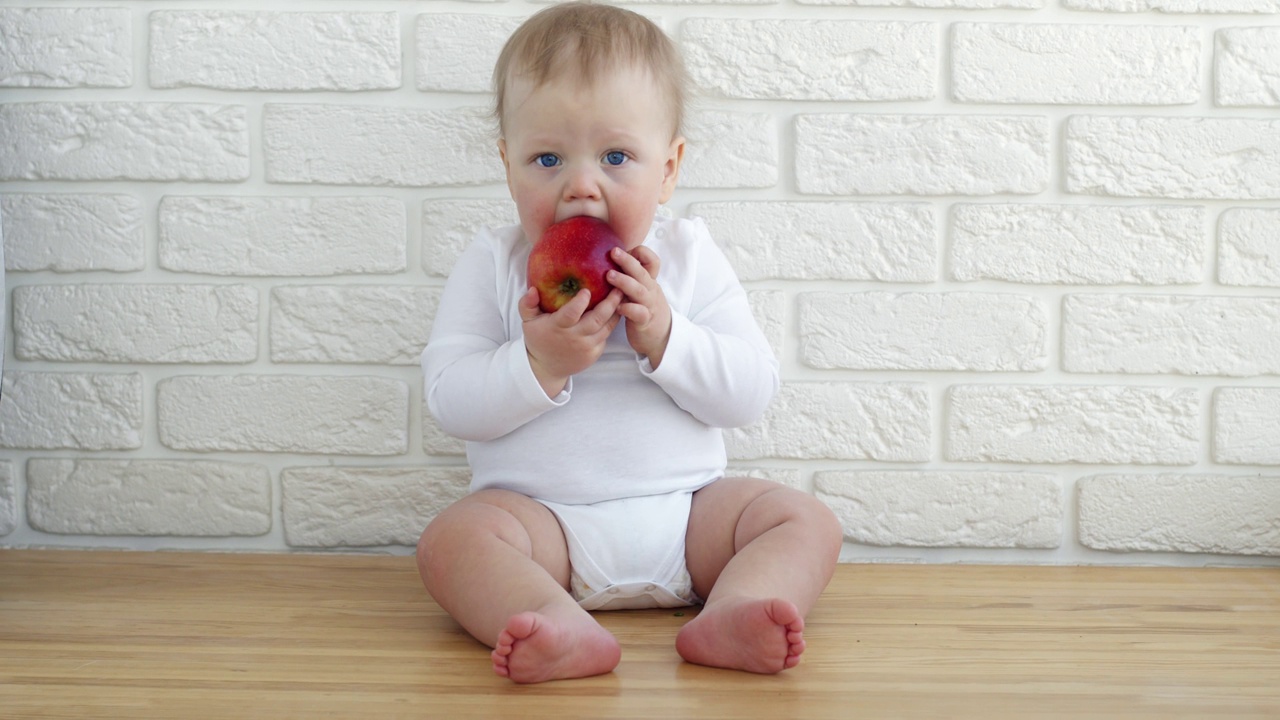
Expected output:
{"points": [[1171, 513]]}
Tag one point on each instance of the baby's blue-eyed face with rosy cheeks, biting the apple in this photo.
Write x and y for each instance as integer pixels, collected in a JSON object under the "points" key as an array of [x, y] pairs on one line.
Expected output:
{"points": [[604, 151]]}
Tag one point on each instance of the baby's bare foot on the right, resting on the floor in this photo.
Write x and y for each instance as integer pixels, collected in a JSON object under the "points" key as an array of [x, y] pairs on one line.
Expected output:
{"points": [[758, 636]]}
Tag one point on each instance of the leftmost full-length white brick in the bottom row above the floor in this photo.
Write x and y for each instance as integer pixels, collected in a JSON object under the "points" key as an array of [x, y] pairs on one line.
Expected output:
{"points": [[149, 498]]}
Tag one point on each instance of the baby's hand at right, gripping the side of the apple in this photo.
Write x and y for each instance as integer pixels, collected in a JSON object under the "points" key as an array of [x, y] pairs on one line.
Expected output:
{"points": [[646, 308]]}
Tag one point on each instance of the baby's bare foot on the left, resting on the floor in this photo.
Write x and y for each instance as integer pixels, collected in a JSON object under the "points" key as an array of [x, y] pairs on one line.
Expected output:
{"points": [[538, 648]]}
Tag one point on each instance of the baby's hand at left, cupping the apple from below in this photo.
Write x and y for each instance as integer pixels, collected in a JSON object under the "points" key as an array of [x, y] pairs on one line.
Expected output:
{"points": [[568, 341]]}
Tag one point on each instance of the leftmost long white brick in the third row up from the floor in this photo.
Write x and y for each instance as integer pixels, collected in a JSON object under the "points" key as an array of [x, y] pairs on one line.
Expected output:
{"points": [[136, 323]]}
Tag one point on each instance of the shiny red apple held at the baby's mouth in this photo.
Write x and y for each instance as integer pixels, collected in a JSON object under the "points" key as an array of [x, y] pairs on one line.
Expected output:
{"points": [[573, 256]]}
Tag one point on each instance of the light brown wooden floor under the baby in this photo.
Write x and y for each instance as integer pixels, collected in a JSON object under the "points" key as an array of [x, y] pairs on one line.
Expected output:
{"points": [[112, 635]]}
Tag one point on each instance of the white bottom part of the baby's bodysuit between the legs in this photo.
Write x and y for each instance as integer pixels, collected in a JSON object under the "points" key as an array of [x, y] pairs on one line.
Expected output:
{"points": [[629, 554]]}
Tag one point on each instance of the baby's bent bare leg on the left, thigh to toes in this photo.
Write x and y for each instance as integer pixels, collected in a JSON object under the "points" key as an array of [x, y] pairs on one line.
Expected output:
{"points": [[497, 562]]}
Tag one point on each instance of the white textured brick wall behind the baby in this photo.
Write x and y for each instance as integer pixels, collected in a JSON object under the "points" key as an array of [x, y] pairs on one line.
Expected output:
{"points": [[1021, 261]]}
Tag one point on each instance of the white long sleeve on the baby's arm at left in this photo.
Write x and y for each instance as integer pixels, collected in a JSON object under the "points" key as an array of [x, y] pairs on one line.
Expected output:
{"points": [[477, 376]]}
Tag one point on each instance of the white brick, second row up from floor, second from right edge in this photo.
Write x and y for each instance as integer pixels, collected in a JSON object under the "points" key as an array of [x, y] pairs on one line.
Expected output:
{"points": [[1103, 425]]}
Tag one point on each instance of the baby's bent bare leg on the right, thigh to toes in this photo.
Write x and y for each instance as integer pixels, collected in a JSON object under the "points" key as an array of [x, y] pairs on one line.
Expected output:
{"points": [[761, 554]]}
